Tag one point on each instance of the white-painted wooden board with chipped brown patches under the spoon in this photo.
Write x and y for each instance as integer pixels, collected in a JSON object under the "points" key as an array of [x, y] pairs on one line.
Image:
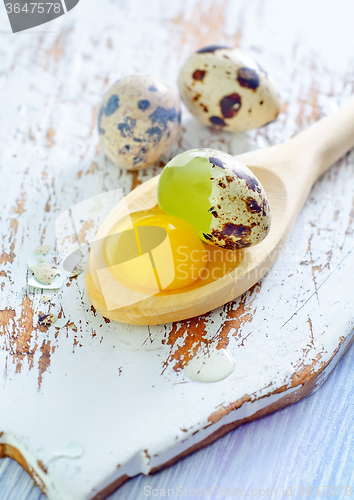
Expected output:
{"points": [[51, 84]]}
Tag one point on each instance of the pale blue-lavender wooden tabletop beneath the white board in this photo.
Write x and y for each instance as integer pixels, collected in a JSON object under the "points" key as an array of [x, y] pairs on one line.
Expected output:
{"points": [[314, 452]]}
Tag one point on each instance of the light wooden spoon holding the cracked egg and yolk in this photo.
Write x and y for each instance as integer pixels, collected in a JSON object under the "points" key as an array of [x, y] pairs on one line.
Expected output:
{"points": [[287, 173]]}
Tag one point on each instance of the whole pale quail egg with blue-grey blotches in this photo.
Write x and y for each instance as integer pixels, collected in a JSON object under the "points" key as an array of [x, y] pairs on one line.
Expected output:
{"points": [[138, 121]]}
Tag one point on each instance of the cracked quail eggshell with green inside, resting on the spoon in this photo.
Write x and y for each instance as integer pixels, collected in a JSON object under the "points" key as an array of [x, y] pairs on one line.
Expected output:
{"points": [[218, 195]]}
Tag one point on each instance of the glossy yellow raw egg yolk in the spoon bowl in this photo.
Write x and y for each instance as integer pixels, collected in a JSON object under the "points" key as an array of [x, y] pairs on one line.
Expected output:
{"points": [[154, 252]]}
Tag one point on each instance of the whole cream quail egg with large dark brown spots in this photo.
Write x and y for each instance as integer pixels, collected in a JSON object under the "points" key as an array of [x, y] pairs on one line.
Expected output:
{"points": [[227, 90]]}
